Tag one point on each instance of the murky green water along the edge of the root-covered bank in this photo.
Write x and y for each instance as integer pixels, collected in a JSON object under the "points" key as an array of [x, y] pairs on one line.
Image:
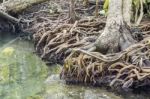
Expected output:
{"points": [[24, 76]]}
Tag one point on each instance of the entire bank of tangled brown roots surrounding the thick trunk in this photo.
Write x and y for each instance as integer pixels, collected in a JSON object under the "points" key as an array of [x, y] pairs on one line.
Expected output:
{"points": [[55, 37]]}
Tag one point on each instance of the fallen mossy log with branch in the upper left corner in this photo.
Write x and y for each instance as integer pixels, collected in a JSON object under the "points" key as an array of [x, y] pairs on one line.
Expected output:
{"points": [[15, 6]]}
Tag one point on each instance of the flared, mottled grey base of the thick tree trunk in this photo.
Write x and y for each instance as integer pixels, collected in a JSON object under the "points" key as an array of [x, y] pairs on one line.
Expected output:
{"points": [[115, 39]]}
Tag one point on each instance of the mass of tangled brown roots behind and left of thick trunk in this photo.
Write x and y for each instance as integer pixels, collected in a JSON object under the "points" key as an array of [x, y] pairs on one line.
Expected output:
{"points": [[55, 36]]}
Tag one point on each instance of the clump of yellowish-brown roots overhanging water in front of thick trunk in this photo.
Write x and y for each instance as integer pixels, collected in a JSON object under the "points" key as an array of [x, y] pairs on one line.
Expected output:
{"points": [[127, 69]]}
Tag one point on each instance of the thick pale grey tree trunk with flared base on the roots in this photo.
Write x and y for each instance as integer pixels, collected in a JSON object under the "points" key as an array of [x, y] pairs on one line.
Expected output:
{"points": [[116, 35]]}
